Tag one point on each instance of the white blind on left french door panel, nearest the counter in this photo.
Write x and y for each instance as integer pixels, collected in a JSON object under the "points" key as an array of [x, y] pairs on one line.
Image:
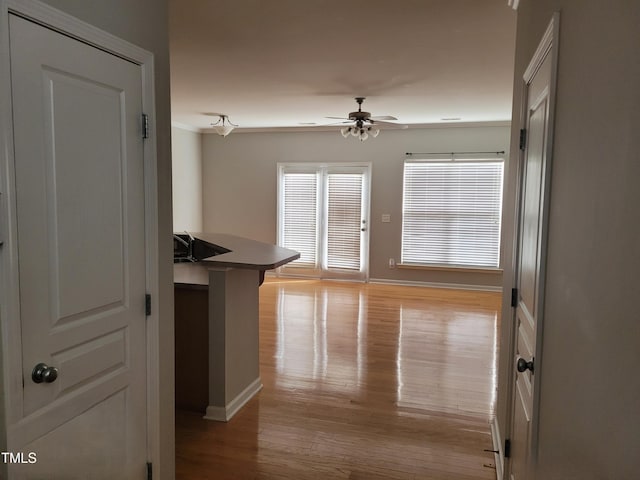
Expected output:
{"points": [[300, 216]]}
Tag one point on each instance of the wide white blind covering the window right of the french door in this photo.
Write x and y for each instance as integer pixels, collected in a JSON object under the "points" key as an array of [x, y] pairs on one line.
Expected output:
{"points": [[452, 213]]}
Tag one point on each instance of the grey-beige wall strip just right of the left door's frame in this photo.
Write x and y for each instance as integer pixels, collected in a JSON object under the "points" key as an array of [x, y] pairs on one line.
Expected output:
{"points": [[145, 23]]}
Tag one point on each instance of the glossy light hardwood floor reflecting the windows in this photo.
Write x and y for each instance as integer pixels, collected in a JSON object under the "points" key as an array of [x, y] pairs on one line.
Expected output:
{"points": [[361, 381]]}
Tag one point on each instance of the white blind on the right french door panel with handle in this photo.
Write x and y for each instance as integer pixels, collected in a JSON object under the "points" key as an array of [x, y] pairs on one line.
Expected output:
{"points": [[344, 213]]}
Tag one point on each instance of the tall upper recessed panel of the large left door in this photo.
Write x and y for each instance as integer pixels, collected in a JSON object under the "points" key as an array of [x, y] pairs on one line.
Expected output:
{"points": [[70, 102]]}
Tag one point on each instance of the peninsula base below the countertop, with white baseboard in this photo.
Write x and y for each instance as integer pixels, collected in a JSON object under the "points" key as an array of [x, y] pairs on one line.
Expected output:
{"points": [[221, 372]]}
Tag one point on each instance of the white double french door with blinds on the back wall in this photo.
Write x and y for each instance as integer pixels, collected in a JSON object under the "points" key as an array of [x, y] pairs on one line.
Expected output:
{"points": [[323, 212]]}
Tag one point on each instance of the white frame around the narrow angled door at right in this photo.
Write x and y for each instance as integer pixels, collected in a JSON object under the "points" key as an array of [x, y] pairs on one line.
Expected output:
{"points": [[548, 46]]}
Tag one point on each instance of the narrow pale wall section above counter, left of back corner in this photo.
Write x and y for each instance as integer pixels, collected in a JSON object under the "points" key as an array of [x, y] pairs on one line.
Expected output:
{"points": [[186, 147]]}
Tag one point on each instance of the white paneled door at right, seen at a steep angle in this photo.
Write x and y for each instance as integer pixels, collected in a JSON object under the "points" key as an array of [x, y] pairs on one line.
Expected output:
{"points": [[531, 258]]}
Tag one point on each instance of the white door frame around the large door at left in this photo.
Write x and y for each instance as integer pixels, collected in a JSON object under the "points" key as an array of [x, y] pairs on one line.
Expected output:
{"points": [[10, 358]]}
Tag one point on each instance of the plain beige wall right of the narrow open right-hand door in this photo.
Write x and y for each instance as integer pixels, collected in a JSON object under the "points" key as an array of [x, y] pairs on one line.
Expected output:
{"points": [[590, 391]]}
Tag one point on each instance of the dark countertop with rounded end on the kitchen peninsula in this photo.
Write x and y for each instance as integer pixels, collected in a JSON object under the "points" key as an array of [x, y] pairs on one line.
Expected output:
{"points": [[245, 253]]}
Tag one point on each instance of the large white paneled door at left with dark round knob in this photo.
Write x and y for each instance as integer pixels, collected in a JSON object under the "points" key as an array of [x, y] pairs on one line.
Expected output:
{"points": [[81, 248]]}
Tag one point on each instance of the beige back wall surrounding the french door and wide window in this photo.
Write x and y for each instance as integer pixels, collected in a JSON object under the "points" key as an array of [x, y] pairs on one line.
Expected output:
{"points": [[240, 183]]}
